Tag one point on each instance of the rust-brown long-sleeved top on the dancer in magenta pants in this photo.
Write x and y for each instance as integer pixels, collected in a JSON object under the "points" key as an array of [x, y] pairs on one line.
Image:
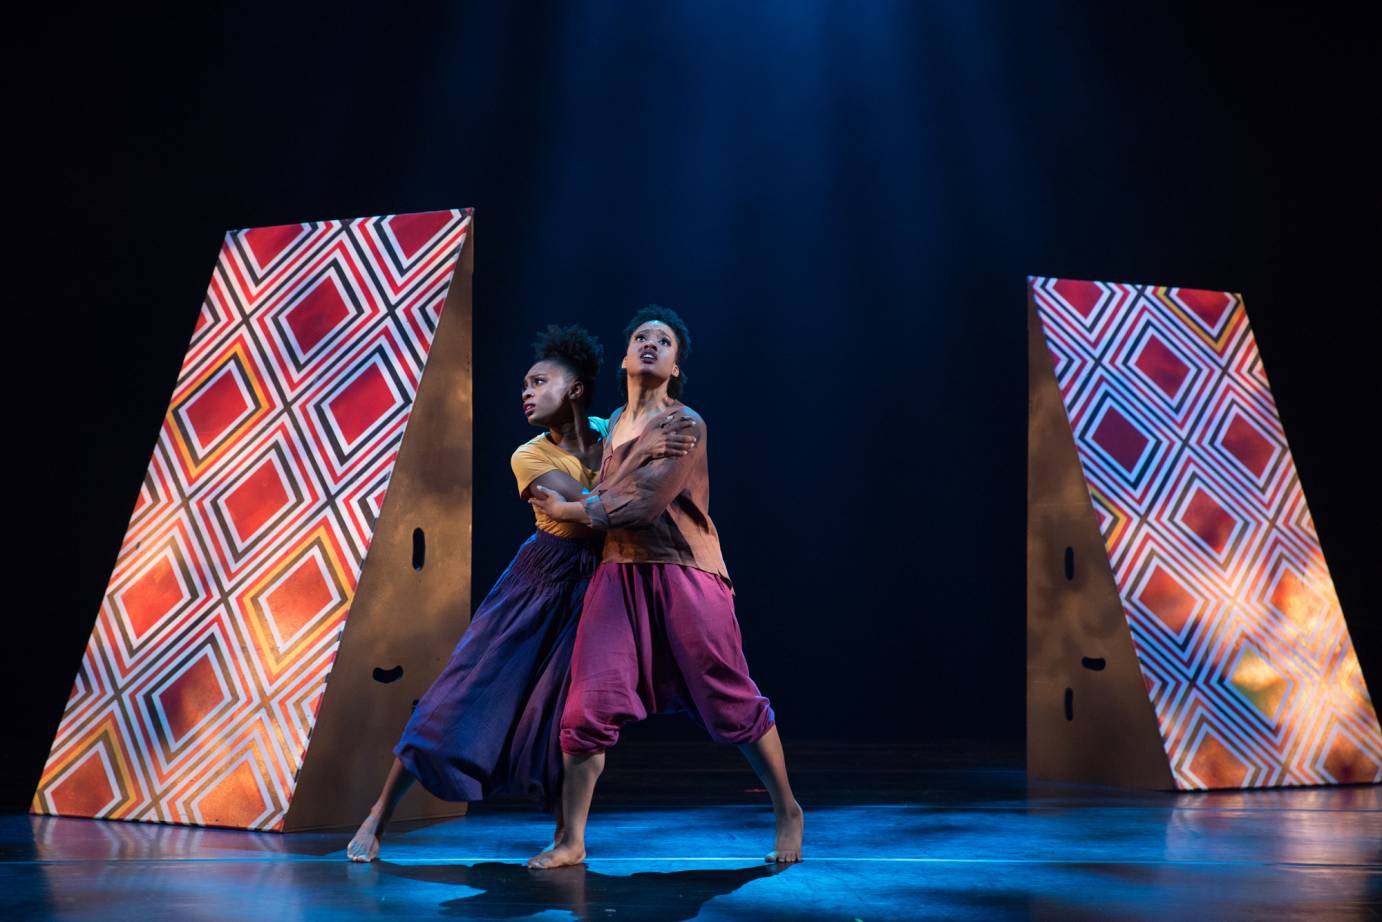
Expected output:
{"points": [[657, 511]]}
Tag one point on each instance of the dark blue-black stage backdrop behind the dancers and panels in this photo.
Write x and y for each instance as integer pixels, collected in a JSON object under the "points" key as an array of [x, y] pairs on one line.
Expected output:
{"points": [[842, 200]]}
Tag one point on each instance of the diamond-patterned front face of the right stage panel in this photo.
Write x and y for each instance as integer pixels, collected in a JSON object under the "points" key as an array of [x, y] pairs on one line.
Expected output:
{"points": [[1239, 632]]}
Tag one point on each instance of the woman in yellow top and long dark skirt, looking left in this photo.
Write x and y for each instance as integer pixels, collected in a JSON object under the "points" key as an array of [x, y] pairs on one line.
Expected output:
{"points": [[491, 722]]}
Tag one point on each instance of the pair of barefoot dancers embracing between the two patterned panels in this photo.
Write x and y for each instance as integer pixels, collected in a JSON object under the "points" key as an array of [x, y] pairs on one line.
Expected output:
{"points": [[617, 608]]}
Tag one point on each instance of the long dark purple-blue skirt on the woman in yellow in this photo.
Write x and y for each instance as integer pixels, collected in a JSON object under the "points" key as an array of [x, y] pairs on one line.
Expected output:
{"points": [[491, 724]]}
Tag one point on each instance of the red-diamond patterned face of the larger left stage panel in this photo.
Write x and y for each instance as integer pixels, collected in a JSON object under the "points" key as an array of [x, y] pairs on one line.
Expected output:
{"points": [[209, 659]]}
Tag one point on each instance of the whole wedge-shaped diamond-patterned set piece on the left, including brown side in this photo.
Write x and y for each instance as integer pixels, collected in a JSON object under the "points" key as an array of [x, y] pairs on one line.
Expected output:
{"points": [[298, 565]]}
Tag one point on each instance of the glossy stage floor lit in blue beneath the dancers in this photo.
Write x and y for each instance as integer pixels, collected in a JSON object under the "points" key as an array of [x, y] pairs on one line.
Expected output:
{"points": [[679, 834]]}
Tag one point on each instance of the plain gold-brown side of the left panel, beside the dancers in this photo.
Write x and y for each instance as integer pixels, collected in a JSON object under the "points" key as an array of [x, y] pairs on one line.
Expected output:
{"points": [[401, 616]]}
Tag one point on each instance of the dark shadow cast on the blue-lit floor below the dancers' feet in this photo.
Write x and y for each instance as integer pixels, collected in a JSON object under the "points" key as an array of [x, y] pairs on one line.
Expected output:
{"points": [[513, 892]]}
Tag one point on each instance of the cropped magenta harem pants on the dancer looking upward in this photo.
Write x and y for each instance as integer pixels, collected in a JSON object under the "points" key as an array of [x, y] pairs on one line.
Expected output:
{"points": [[659, 638]]}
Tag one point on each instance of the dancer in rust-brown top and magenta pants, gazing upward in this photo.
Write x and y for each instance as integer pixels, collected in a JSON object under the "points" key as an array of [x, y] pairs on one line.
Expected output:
{"points": [[659, 630]]}
